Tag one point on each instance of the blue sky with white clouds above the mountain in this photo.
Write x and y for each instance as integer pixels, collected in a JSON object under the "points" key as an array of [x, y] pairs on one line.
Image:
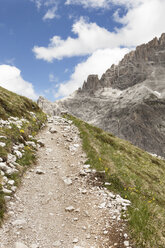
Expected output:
{"points": [[49, 47]]}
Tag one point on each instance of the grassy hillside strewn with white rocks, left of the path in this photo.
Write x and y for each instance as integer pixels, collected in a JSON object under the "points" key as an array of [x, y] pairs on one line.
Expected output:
{"points": [[20, 120]]}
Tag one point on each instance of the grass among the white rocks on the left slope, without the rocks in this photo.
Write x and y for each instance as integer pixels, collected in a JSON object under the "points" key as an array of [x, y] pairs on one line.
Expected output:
{"points": [[13, 105]]}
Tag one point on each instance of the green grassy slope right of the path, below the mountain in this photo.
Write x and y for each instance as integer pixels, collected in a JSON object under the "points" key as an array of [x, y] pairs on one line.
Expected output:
{"points": [[134, 174]]}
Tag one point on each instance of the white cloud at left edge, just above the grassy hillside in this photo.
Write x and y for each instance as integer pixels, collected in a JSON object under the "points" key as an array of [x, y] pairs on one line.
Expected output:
{"points": [[10, 78]]}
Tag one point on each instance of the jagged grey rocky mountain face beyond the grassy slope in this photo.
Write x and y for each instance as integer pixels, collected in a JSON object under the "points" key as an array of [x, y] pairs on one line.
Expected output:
{"points": [[128, 100]]}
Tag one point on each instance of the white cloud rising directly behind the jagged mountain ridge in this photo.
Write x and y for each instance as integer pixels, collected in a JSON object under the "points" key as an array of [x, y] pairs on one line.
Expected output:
{"points": [[91, 66]]}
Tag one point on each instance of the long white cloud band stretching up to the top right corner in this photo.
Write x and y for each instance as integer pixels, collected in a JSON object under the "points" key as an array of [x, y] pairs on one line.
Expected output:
{"points": [[141, 23]]}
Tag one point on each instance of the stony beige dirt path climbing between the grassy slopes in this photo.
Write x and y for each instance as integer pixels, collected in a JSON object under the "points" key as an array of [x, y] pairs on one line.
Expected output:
{"points": [[56, 206]]}
